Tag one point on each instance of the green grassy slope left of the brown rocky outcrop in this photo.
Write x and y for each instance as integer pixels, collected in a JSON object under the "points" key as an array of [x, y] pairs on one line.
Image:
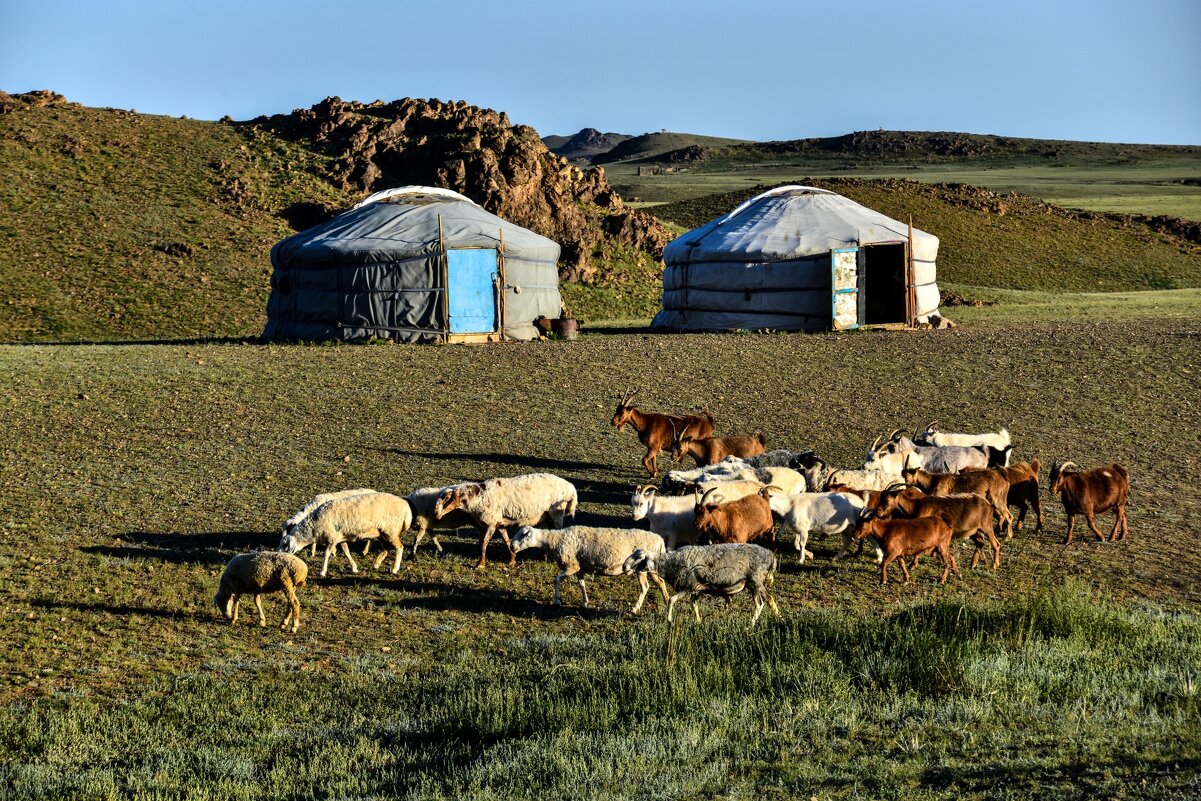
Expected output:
{"points": [[119, 225]]}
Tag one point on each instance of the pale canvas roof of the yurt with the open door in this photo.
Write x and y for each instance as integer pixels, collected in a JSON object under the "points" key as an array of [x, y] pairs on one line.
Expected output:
{"points": [[792, 223]]}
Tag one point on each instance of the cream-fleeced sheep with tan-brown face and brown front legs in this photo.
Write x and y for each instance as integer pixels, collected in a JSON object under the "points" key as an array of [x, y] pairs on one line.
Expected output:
{"points": [[501, 503]]}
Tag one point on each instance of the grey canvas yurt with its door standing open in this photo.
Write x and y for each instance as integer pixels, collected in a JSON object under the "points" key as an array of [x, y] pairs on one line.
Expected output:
{"points": [[799, 259]]}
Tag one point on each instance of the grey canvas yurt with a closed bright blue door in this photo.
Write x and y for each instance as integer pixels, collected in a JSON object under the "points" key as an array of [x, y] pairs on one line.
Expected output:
{"points": [[413, 265]]}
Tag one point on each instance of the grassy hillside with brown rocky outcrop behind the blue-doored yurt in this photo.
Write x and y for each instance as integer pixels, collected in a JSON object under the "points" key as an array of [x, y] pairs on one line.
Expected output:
{"points": [[119, 226]]}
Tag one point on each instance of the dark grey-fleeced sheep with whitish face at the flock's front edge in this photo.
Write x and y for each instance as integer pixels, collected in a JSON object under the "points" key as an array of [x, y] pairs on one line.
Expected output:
{"points": [[725, 570]]}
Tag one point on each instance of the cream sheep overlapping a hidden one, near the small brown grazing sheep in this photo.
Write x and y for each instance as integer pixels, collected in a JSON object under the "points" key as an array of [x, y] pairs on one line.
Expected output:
{"points": [[363, 517]]}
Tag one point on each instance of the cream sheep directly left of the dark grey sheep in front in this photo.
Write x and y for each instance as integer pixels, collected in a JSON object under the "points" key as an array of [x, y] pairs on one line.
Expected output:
{"points": [[585, 551]]}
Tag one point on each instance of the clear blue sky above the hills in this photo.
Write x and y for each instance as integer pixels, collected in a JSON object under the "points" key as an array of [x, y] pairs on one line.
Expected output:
{"points": [[754, 69]]}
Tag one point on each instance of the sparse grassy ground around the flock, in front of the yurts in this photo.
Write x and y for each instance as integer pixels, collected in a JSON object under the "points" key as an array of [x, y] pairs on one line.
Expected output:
{"points": [[135, 473]]}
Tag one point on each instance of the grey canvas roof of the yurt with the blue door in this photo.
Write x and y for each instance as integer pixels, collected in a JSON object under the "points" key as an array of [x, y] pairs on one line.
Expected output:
{"points": [[411, 222]]}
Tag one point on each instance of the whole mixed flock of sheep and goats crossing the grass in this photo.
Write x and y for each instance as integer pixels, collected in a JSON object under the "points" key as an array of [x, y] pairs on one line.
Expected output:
{"points": [[912, 498]]}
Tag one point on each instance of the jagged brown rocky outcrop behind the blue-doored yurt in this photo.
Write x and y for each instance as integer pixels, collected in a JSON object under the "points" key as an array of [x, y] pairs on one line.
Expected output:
{"points": [[479, 153]]}
